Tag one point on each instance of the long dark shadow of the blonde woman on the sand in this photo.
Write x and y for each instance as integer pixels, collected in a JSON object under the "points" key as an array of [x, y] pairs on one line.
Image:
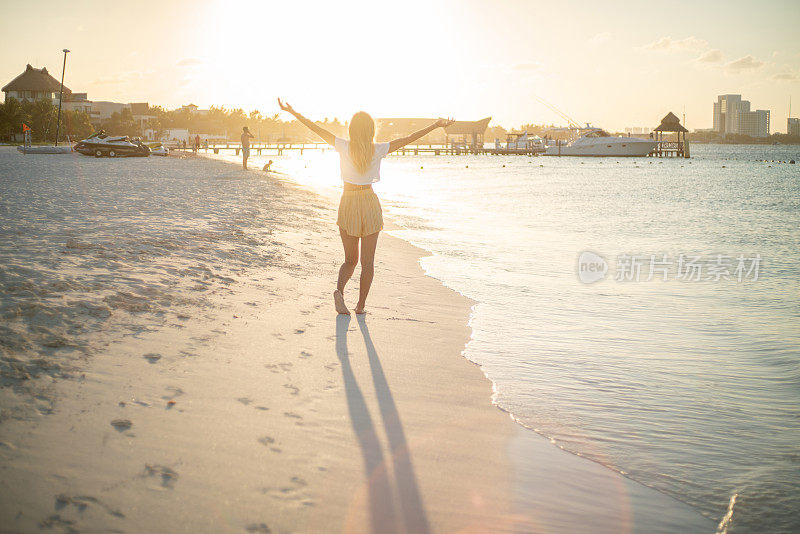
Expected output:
{"points": [[383, 512]]}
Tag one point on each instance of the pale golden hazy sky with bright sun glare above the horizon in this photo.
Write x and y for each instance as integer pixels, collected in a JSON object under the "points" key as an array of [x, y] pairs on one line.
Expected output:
{"points": [[615, 64]]}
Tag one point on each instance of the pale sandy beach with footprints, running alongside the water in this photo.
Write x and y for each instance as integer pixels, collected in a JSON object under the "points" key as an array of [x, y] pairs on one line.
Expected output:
{"points": [[171, 362]]}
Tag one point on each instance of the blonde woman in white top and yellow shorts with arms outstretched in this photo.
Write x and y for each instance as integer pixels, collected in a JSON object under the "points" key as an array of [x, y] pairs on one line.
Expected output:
{"points": [[360, 215]]}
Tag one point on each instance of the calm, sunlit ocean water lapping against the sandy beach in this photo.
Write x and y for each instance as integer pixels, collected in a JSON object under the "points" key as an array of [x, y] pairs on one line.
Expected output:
{"points": [[689, 385]]}
